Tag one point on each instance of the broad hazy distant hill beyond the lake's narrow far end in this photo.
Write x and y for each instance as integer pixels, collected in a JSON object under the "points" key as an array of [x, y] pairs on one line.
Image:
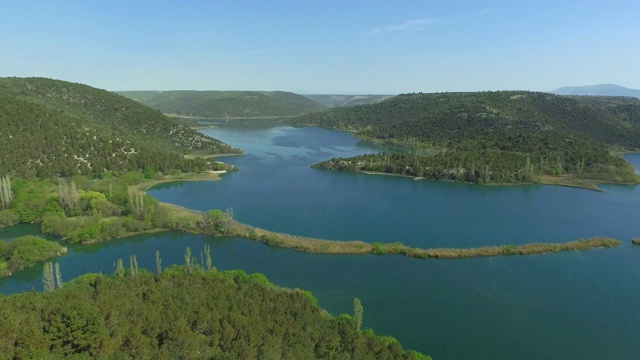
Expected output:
{"points": [[226, 104]]}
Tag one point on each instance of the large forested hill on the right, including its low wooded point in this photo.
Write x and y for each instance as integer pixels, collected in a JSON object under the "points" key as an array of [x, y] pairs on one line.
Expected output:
{"points": [[510, 136]]}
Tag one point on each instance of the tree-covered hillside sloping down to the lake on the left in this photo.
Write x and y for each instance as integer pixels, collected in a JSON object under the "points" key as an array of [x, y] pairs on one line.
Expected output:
{"points": [[56, 128]]}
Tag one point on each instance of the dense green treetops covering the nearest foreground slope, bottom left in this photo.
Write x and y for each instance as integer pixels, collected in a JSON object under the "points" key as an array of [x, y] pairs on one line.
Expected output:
{"points": [[210, 315]]}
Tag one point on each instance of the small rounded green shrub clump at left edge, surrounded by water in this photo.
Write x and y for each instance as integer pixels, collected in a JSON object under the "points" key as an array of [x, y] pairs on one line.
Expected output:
{"points": [[26, 251]]}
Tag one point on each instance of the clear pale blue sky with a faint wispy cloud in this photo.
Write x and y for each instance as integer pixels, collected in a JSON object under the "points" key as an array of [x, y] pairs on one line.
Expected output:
{"points": [[318, 46]]}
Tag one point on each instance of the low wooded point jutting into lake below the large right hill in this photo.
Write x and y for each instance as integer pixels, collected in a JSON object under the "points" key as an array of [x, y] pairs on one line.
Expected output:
{"points": [[485, 167]]}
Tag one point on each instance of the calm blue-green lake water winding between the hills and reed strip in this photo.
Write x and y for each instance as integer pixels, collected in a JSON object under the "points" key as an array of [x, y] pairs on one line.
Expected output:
{"points": [[575, 305]]}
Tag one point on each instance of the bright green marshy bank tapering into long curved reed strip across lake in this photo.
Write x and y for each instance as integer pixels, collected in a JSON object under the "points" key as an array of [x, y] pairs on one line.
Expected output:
{"points": [[84, 211]]}
